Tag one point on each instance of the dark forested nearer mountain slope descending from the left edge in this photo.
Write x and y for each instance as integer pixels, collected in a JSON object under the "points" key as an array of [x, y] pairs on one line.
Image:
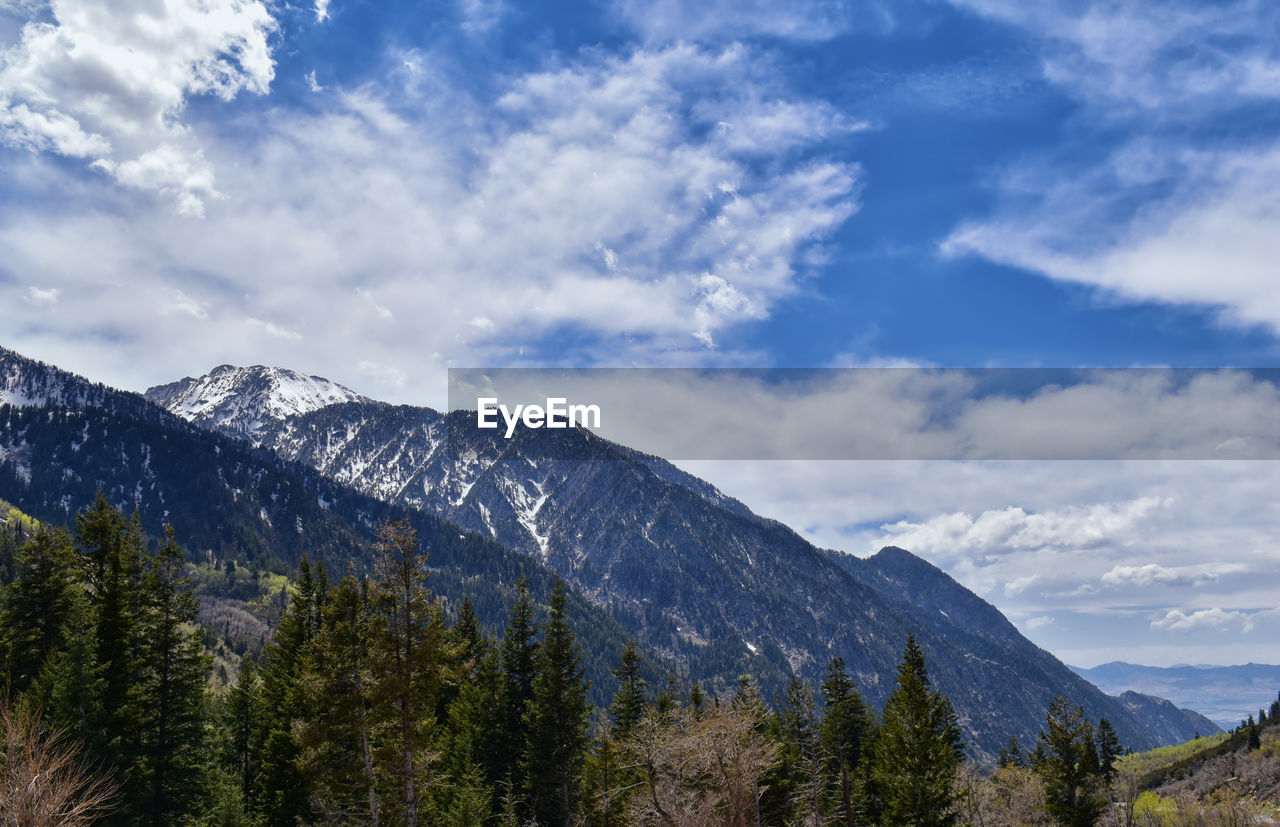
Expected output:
{"points": [[228, 500]]}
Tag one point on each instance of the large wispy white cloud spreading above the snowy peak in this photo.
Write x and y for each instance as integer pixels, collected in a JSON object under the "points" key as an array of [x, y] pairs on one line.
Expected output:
{"points": [[418, 191]]}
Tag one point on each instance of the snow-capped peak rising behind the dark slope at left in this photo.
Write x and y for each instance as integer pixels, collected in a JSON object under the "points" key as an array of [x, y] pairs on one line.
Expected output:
{"points": [[244, 401]]}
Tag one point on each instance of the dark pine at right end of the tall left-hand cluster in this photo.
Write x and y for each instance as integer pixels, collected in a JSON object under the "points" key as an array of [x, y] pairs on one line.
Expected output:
{"points": [[176, 673]]}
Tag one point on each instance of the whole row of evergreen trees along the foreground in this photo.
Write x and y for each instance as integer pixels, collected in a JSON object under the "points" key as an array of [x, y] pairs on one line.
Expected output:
{"points": [[374, 706]]}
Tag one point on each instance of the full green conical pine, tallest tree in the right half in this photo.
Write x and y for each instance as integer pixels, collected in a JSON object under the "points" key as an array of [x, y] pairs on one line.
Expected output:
{"points": [[918, 750]]}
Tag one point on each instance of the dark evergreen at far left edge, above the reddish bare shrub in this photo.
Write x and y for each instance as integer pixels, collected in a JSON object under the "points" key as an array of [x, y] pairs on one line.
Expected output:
{"points": [[38, 606]]}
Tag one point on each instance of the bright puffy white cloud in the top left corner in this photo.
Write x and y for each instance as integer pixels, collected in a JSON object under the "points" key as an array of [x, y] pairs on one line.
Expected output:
{"points": [[108, 84]]}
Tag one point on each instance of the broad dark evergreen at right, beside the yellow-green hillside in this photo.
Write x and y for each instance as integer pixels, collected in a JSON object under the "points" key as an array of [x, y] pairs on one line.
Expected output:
{"points": [[1068, 762]]}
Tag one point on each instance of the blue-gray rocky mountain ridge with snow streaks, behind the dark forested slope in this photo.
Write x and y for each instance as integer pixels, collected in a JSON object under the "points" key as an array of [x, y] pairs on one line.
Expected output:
{"points": [[692, 573]]}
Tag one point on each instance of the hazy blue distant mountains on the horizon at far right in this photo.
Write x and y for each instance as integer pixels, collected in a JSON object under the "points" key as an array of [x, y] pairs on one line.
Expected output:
{"points": [[1226, 695]]}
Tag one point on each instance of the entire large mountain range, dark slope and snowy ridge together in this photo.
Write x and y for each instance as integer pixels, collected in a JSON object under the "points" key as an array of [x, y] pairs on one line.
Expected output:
{"points": [[266, 464]]}
